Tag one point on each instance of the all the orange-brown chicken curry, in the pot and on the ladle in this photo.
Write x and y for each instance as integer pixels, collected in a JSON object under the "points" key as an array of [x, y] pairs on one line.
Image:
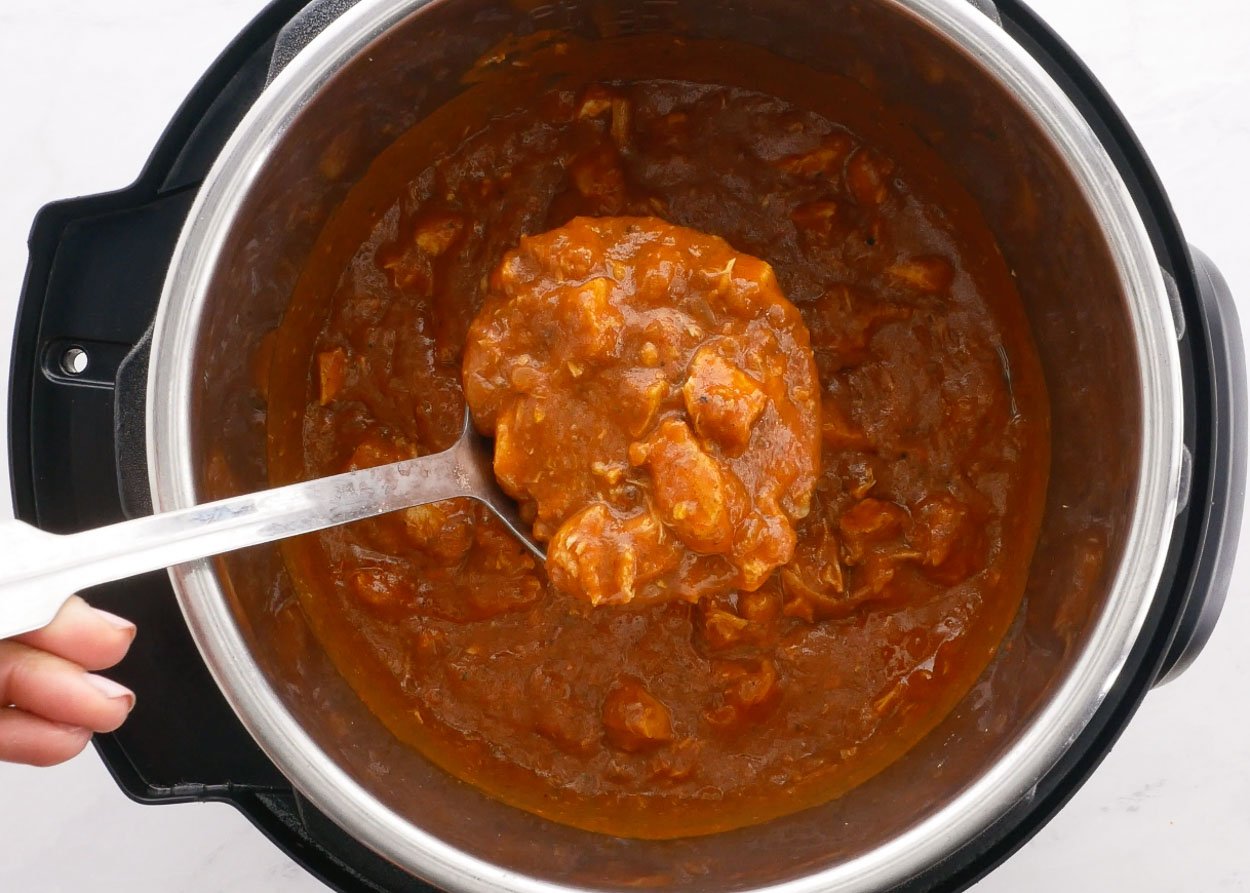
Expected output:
{"points": [[759, 377]]}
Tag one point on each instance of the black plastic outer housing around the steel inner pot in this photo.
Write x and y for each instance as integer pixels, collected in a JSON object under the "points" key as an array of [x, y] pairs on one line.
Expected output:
{"points": [[94, 281]]}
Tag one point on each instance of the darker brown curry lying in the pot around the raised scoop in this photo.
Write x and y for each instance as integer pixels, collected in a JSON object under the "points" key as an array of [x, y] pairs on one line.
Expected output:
{"points": [[669, 719]]}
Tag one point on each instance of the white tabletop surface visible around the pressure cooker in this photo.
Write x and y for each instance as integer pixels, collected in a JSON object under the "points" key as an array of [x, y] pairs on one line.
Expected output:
{"points": [[86, 91]]}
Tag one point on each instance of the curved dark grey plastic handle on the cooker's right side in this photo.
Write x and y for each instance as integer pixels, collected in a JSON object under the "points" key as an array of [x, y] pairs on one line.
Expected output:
{"points": [[1226, 456]]}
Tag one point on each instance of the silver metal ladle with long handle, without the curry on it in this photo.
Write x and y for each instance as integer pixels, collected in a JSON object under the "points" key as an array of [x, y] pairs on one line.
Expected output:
{"points": [[41, 571]]}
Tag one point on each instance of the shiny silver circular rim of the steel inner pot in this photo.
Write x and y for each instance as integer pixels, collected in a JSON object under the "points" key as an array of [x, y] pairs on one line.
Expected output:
{"points": [[1011, 780]]}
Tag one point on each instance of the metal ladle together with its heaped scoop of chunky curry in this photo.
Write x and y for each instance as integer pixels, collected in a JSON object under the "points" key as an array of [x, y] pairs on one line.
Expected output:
{"points": [[656, 410]]}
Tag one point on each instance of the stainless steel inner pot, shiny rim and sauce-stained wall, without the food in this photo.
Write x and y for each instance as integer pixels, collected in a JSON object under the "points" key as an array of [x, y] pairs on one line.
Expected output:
{"points": [[1096, 298]]}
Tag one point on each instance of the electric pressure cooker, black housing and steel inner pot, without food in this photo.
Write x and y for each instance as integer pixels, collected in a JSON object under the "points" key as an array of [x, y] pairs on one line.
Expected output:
{"points": [[133, 360]]}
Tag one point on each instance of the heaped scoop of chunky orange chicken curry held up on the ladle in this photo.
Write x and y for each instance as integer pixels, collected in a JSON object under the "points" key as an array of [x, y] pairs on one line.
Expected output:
{"points": [[654, 405]]}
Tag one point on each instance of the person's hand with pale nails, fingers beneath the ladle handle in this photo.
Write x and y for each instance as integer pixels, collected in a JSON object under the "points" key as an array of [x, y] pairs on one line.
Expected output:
{"points": [[49, 704]]}
